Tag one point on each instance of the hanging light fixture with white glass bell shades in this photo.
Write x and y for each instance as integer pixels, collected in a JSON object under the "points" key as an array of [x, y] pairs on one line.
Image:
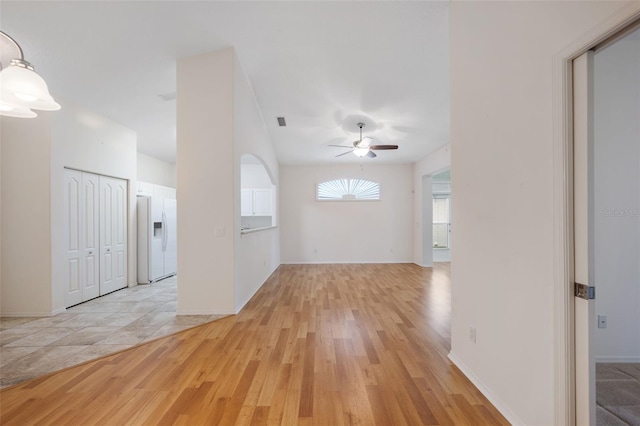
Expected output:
{"points": [[21, 88]]}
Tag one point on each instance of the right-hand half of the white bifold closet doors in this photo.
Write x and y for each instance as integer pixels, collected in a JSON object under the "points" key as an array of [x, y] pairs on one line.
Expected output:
{"points": [[113, 234]]}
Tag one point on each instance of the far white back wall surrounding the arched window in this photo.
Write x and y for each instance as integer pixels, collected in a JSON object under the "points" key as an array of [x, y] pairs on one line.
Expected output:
{"points": [[346, 231]]}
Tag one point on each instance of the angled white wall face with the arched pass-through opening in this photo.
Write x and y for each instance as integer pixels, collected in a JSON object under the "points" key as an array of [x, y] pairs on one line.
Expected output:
{"points": [[257, 254]]}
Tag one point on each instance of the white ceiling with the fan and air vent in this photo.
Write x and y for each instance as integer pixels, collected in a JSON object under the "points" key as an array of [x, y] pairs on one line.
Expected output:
{"points": [[323, 65]]}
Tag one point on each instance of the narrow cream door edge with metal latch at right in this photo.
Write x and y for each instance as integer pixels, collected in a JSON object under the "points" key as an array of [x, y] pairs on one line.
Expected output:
{"points": [[584, 309]]}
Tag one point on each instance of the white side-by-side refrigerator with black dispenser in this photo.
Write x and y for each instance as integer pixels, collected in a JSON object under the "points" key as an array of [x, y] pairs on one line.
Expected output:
{"points": [[157, 246]]}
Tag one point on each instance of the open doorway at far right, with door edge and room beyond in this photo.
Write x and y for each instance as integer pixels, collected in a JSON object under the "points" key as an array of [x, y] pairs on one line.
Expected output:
{"points": [[606, 225]]}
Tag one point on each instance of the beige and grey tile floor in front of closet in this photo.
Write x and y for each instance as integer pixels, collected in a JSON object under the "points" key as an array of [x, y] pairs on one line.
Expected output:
{"points": [[31, 347]]}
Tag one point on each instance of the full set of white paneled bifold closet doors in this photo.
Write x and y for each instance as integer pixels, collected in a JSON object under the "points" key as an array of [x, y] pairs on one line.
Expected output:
{"points": [[96, 235]]}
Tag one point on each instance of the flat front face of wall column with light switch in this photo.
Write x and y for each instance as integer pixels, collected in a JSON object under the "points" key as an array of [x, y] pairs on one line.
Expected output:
{"points": [[206, 171]]}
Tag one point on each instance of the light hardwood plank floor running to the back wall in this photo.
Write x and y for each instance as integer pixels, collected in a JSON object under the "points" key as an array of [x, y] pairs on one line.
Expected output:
{"points": [[318, 344]]}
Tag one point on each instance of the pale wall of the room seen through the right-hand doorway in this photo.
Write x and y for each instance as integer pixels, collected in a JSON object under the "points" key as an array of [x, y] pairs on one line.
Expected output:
{"points": [[617, 200]]}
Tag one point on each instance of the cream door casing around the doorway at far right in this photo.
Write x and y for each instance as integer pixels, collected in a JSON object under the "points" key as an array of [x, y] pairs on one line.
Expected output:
{"points": [[564, 377]]}
